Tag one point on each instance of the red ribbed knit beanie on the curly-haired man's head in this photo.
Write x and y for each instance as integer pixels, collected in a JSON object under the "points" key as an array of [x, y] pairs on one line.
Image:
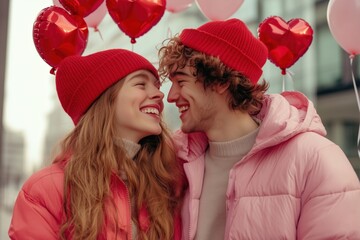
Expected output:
{"points": [[232, 42]]}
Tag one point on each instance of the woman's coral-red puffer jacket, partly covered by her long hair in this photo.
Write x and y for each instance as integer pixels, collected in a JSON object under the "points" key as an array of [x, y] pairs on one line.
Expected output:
{"points": [[38, 211]]}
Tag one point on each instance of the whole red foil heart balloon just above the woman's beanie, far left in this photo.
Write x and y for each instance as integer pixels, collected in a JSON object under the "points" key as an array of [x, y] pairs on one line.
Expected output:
{"points": [[57, 35]]}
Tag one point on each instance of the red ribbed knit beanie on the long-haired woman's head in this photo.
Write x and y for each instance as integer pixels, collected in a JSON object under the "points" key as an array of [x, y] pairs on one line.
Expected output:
{"points": [[81, 80]]}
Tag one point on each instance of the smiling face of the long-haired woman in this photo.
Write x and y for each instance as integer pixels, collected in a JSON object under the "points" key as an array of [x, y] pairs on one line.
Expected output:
{"points": [[139, 104]]}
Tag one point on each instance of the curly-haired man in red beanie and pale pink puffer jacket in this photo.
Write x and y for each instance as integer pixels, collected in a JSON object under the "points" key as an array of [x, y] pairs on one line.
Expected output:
{"points": [[263, 169]]}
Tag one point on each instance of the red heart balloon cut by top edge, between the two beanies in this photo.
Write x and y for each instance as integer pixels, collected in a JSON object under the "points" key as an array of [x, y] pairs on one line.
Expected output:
{"points": [[136, 17]]}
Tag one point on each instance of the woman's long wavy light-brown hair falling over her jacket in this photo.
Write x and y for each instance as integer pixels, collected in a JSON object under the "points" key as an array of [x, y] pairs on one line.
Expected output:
{"points": [[90, 158]]}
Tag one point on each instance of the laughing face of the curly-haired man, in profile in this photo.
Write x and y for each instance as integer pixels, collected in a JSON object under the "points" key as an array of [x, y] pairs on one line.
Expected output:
{"points": [[197, 106]]}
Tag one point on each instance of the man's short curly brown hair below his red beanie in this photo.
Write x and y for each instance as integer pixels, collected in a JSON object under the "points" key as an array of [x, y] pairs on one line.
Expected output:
{"points": [[243, 94]]}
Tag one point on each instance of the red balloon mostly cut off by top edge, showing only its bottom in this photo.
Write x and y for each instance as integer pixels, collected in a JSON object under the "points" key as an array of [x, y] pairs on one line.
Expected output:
{"points": [[81, 7]]}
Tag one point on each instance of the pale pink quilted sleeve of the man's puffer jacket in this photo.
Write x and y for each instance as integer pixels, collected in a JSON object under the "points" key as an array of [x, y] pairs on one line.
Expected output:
{"points": [[331, 198]]}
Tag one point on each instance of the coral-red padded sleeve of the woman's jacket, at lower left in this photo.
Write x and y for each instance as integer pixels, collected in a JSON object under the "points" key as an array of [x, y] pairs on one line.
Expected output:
{"points": [[38, 211]]}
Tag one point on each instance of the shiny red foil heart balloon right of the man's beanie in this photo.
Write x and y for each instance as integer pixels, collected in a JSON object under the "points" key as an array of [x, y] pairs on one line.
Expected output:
{"points": [[286, 41]]}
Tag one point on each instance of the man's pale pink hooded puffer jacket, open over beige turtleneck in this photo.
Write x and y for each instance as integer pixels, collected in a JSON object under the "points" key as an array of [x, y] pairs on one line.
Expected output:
{"points": [[293, 184]]}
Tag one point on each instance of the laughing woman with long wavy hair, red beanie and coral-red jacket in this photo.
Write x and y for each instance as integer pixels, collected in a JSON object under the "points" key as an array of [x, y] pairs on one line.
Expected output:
{"points": [[116, 176]]}
